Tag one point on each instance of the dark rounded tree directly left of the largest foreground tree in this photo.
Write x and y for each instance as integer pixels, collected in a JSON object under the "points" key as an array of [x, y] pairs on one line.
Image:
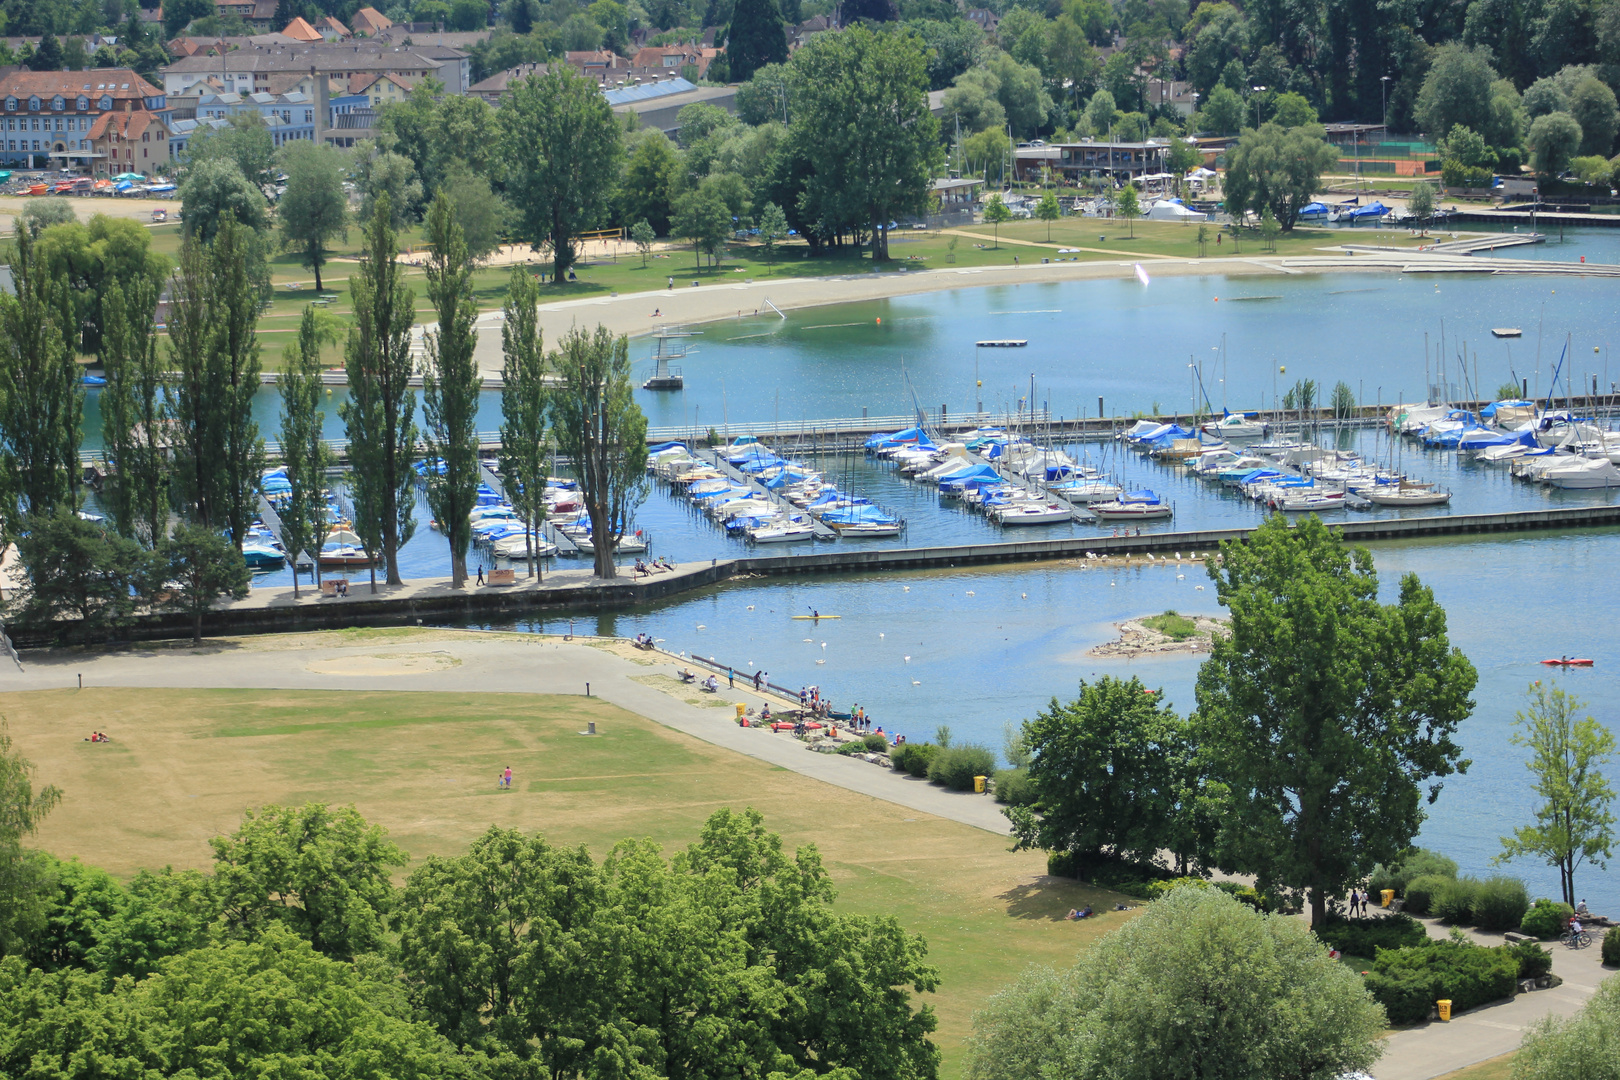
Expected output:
{"points": [[1102, 768]]}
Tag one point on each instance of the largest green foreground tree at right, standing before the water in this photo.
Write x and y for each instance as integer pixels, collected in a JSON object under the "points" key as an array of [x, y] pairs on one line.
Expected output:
{"points": [[1324, 712]]}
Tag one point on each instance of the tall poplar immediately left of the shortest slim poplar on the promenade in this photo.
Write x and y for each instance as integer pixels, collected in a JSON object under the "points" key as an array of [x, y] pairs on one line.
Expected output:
{"points": [[237, 365]]}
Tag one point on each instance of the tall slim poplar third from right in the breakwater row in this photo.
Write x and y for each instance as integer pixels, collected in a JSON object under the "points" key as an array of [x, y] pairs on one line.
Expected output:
{"points": [[451, 386]]}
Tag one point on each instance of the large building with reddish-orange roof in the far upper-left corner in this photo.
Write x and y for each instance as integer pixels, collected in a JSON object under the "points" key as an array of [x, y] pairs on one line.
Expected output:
{"points": [[51, 117]]}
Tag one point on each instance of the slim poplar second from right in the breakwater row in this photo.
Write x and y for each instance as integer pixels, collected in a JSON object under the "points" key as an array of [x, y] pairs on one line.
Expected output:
{"points": [[524, 409]]}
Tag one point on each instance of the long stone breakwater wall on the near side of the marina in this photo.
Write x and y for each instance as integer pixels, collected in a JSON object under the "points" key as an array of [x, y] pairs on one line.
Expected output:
{"points": [[433, 603]]}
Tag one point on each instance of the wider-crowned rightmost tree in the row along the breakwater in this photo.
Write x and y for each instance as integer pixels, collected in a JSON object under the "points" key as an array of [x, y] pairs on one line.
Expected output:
{"points": [[602, 430]]}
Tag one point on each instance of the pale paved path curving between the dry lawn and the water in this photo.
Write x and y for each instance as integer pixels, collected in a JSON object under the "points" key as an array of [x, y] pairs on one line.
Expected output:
{"points": [[490, 663]]}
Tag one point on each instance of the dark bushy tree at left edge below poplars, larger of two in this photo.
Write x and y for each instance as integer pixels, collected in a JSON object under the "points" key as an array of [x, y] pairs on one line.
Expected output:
{"points": [[77, 571]]}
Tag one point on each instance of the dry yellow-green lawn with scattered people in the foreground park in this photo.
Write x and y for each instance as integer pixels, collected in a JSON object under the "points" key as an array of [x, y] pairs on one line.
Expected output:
{"points": [[185, 763]]}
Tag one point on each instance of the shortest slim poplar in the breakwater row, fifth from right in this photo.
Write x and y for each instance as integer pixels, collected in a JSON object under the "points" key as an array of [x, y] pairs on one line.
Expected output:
{"points": [[305, 454]]}
